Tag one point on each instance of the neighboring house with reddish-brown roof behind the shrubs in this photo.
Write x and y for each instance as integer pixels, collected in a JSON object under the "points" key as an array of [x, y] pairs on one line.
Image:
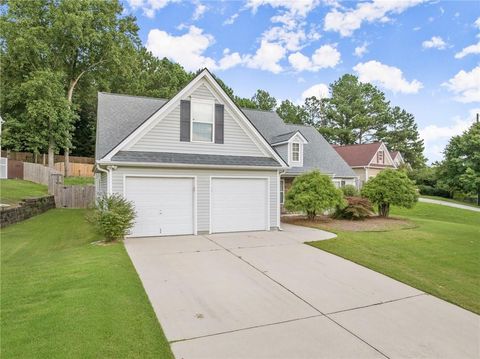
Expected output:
{"points": [[367, 160]]}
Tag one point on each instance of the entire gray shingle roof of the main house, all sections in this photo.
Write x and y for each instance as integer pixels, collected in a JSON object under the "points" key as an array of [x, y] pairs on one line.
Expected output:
{"points": [[119, 115]]}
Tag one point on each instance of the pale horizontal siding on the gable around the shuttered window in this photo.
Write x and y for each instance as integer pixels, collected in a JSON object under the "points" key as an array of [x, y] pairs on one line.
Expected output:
{"points": [[165, 136]]}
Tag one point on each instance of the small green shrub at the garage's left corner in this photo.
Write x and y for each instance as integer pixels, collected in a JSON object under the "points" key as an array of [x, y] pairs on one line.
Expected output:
{"points": [[113, 216]]}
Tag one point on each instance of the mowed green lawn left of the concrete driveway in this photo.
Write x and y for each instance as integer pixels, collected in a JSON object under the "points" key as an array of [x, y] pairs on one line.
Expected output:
{"points": [[63, 297]]}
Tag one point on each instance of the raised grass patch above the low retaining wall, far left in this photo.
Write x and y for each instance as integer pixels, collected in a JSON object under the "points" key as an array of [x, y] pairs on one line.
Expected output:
{"points": [[12, 191]]}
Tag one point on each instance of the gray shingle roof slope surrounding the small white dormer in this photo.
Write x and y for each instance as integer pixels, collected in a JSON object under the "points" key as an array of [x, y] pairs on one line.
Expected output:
{"points": [[317, 153]]}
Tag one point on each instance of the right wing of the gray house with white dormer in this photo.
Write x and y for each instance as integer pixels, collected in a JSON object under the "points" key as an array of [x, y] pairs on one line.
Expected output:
{"points": [[303, 148]]}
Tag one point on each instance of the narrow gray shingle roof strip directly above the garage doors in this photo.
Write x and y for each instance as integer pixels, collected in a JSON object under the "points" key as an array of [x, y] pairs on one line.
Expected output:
{"points": [[193, 158]]}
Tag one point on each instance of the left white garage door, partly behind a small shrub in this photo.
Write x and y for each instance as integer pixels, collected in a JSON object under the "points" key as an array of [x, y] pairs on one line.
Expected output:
{"points": [[164, 206]]}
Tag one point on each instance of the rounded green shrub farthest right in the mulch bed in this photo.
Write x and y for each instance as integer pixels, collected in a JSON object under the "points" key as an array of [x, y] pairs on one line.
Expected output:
{"points": [[390, 187]]}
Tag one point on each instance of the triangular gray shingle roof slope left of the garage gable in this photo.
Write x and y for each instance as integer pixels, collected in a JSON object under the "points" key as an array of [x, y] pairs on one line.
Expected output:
{"points": [[118, 116]]}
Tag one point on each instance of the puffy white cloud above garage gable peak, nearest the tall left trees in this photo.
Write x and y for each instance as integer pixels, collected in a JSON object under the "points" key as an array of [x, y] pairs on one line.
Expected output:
{"points": [[186, 49]]}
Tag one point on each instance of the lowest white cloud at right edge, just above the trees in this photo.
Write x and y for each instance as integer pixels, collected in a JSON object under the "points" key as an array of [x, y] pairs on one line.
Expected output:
{"points": [[436, 137]]}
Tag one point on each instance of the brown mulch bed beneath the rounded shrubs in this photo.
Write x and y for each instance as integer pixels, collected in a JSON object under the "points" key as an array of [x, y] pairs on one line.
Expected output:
{"points": [[371, 224]]}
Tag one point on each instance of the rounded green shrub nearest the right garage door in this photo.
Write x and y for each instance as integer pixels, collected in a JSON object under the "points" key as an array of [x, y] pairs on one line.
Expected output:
{"points": [[313, 193]]}
